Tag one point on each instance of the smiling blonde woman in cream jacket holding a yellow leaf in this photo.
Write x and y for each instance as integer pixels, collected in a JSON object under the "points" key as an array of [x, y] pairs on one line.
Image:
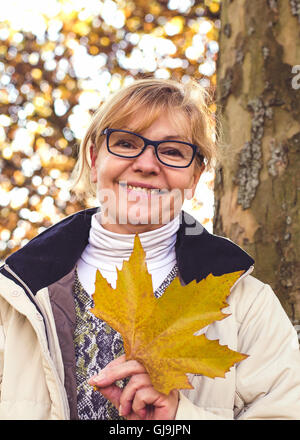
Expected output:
{"points": [[143, 154]]}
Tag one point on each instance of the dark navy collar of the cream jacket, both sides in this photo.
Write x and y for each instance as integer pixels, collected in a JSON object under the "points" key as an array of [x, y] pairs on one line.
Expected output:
{"points": [[54, 253]]}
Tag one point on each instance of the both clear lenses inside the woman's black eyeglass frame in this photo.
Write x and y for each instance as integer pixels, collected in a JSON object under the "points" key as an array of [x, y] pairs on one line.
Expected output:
{"points": [[169, 152]]}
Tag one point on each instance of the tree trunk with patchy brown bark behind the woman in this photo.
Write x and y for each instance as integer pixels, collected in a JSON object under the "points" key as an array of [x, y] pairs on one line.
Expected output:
{"points": [[257, 184]]}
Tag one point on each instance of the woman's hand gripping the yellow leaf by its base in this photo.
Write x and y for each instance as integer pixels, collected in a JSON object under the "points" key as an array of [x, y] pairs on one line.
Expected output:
{"points": [[138, 400]]}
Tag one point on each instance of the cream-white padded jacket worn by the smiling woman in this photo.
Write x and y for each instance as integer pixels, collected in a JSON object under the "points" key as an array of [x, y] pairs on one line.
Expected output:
{"points": [[33, 371]]}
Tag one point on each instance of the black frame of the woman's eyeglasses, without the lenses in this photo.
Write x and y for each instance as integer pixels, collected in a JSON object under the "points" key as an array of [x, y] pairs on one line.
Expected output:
{"points": [[155, 144]]}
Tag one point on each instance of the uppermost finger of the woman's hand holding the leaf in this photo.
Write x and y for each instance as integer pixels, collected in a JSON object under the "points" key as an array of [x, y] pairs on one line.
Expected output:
{"points": [[107, 376]]}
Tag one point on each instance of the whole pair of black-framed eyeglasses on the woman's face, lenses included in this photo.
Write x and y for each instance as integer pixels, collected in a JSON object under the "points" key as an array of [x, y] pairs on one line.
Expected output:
{"points": [[128, 144]]}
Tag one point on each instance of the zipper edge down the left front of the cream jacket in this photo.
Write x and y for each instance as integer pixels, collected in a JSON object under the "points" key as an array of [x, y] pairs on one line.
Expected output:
{"points": [[47, 354]]}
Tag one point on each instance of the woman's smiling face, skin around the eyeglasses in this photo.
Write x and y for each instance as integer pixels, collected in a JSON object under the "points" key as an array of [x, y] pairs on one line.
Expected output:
{"points": [[127, 189]]}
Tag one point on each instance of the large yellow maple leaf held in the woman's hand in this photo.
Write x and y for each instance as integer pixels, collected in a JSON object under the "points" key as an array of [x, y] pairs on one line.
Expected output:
{"points": [[159, 332]]}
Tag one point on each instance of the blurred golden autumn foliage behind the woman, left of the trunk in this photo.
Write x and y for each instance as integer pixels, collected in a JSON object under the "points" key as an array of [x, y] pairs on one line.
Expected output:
{"points": [[59, 60]]}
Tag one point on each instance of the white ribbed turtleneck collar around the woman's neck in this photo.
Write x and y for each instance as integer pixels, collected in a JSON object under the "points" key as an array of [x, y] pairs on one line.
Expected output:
{"points": [[107, 250]]}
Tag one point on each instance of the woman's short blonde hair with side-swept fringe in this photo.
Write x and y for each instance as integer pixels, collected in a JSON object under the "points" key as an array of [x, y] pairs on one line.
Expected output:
{"points": [[151, 97]]}
